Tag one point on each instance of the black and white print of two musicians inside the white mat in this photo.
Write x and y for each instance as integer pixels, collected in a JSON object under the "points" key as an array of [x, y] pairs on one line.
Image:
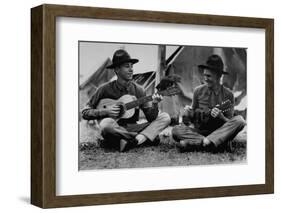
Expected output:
{"points": [[155, 105]]}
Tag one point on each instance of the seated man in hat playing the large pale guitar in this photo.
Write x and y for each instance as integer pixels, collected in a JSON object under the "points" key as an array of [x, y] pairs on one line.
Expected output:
{"points": [[120, 133]]}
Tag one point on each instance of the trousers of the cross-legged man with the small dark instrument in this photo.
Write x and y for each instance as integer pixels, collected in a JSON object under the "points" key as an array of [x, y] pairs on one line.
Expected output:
{"points": [[226, 132]]}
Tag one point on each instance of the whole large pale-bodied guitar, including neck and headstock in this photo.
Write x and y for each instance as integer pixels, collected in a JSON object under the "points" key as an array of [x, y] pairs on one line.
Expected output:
{"points": [[128, 103]]}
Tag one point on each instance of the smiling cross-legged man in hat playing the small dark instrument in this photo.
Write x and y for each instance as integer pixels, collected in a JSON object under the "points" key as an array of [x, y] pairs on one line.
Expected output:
{"points": [[211, 126]]}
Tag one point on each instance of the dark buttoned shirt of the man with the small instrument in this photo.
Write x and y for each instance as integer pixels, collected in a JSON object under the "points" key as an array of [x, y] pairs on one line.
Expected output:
{"points": [[205, 98]]}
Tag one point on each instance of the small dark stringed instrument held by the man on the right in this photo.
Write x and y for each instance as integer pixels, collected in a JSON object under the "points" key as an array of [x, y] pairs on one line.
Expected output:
{"points": [[204, 115]]}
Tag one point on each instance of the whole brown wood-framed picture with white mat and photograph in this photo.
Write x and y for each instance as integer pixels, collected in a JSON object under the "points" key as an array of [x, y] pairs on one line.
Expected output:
{"points": [[134, 106]]}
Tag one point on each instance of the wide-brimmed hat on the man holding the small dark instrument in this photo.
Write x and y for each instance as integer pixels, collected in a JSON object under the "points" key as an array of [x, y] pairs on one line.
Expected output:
{"points": [[214, 63]]}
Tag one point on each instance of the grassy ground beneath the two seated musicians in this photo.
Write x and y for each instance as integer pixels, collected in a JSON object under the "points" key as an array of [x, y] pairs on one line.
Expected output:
{"points": [[91, 156]]}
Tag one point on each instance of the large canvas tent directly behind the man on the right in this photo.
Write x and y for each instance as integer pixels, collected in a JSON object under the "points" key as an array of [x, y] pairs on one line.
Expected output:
{"points": [[185, 64]]}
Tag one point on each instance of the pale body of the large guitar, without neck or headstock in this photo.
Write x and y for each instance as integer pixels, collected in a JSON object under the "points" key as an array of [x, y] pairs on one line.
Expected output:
{"points": [[107, 102]]}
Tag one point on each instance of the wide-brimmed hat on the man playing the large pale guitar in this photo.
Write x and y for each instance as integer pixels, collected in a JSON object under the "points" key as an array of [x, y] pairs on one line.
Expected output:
{"points": [[121, 57]]}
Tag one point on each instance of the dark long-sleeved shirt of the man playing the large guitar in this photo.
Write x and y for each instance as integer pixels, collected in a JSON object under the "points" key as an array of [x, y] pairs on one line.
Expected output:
{"points": [[114, 90]]}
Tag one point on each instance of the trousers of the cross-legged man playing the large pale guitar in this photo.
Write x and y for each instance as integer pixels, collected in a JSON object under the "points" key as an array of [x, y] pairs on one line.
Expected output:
{"points": [[112, 132]]}
